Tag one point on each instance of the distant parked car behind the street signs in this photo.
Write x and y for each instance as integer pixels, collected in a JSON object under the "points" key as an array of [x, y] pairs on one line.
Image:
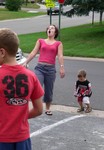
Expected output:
{"points": [[55, 9]]}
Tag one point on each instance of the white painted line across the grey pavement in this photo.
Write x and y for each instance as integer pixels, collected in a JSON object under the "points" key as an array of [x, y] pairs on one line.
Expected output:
{"points": [[47, 128]]}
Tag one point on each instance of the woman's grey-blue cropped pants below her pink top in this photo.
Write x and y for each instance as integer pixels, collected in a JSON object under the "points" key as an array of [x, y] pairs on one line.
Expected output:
{"points": [[46, 75]]}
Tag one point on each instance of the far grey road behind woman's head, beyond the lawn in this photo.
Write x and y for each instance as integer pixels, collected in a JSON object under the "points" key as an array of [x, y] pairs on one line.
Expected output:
{"points": [[37, 24]]}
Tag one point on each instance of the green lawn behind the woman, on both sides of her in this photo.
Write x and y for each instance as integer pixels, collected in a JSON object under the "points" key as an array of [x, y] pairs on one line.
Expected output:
{"points": [[82, 41]]}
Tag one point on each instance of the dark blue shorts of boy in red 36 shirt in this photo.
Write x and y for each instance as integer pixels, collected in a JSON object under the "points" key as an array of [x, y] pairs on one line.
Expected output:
{"points": [[24, 145]]}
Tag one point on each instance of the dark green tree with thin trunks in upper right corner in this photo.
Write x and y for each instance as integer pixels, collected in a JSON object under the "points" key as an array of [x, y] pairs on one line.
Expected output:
{"points": [[83, 7]]}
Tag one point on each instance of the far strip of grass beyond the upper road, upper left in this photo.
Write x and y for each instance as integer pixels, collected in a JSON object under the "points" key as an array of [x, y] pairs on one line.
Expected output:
{"points": [[5, 14]]}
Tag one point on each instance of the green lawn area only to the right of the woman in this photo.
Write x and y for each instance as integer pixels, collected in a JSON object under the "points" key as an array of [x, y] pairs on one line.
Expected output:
{"points": [[86, 41]]}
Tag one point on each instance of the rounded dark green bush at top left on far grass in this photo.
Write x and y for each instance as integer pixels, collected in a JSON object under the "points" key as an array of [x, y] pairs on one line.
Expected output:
{"points": [[13, 5]]}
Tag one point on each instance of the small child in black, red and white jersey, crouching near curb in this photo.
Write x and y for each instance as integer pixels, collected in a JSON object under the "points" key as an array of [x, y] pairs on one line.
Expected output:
{"points": [[83, 92]]}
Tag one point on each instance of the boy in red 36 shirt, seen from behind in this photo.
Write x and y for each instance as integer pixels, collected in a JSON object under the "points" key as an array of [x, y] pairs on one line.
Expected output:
{"points": [[18, 86]]}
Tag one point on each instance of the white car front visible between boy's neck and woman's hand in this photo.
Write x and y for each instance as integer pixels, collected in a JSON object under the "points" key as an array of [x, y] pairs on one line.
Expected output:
{"points": [[20, 58]]}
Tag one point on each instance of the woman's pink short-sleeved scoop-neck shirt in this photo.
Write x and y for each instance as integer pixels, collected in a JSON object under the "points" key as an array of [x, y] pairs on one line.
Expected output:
{"points": [[48, 52]]}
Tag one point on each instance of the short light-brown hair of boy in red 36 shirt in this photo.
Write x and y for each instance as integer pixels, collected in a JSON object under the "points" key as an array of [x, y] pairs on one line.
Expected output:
{"points": [[9, 41]]}
